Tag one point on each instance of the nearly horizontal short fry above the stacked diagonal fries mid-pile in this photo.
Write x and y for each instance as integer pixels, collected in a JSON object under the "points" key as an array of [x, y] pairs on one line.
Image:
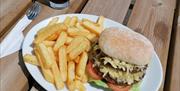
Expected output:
{"points": [[72, 31]]}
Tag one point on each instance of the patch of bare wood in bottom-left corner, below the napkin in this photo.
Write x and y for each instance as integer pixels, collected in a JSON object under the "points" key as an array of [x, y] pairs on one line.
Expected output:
{"points": [[12, 76]]}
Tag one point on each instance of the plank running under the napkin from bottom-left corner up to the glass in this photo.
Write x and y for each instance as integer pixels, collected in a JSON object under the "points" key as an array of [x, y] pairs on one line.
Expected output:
{"points": [[12, 68]]}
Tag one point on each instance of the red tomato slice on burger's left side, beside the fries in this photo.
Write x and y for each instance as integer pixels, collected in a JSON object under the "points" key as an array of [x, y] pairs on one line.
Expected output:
{"points": [[92, 72]]}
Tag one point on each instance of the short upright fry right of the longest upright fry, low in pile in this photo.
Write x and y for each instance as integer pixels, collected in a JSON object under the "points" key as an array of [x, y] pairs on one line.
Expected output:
{"points": [[71, 71]]}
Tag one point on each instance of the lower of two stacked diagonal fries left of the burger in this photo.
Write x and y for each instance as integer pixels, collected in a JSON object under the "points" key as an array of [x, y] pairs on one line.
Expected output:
{"points": [[77, 51]]}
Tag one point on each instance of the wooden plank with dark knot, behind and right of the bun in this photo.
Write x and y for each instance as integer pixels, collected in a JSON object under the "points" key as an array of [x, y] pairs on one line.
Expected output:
{"points": [[153, 19]]}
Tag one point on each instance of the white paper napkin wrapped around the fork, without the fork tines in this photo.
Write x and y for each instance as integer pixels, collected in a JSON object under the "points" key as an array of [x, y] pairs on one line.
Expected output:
{"points": [[13, 41]]}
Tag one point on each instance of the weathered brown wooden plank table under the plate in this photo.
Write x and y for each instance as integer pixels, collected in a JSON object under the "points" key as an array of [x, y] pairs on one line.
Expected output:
{"points": [[155, 19]]}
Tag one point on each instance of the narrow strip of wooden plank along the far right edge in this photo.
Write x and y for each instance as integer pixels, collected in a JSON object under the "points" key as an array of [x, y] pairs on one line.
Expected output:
{"points": [[174, 80]]}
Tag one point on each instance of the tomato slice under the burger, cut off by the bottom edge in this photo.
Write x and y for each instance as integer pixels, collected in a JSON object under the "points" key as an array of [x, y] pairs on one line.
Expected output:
{"points": [[118, 88]]}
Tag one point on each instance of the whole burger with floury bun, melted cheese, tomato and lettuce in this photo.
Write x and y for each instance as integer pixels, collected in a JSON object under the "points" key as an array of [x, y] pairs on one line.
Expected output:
{"points": [[119, 59]]}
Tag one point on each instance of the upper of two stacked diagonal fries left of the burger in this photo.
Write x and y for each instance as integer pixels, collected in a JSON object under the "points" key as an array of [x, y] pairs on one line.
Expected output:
{"points": [[74, 43]]}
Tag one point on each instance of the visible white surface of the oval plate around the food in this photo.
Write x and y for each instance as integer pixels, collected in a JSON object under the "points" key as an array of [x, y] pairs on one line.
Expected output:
{"points": [[151, 81]]}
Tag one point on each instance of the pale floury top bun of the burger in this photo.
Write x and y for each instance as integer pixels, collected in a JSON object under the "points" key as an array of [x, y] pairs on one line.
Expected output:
{"points": [[126, 45]]}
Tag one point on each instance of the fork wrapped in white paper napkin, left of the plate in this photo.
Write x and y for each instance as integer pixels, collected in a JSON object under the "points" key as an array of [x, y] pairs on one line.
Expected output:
{"points": [[12, 42]]}
